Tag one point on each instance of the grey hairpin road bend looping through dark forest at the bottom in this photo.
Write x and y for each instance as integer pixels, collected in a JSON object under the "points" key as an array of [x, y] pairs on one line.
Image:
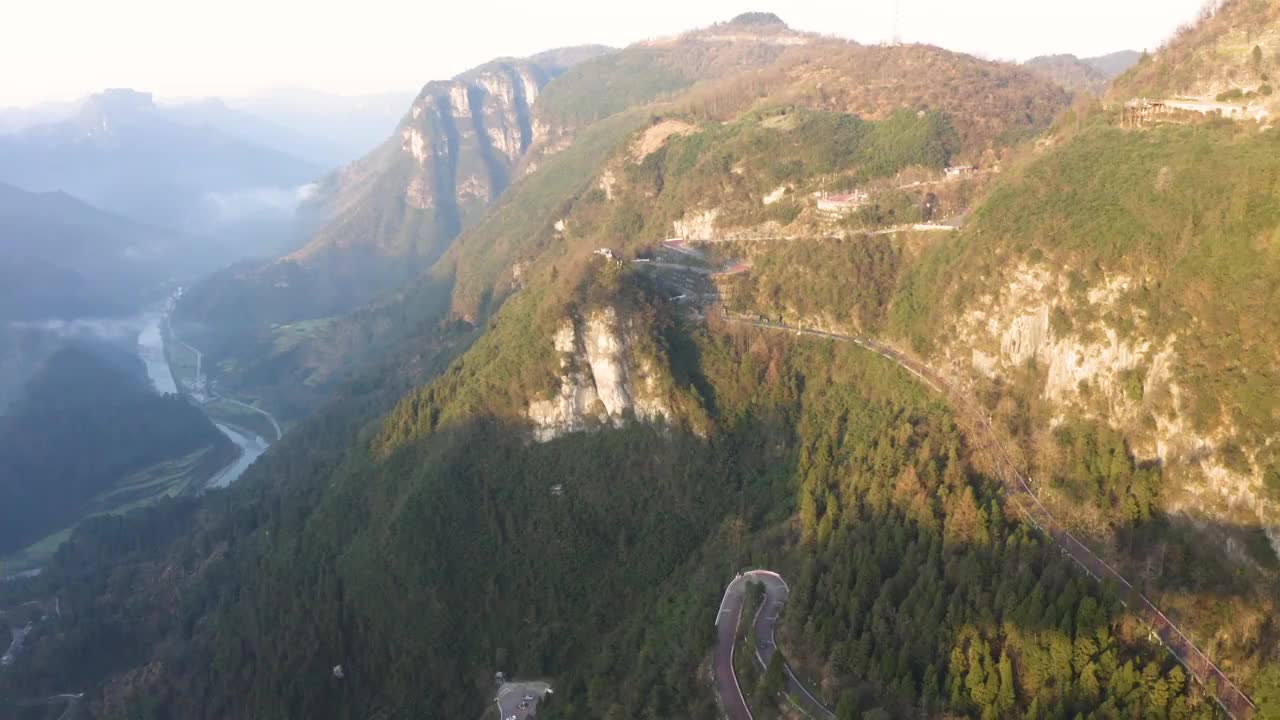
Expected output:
{"points": [[776, 593]]}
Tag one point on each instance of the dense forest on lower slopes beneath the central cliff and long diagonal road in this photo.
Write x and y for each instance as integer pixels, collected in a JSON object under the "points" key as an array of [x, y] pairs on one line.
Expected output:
{"points": [[426, 569]]}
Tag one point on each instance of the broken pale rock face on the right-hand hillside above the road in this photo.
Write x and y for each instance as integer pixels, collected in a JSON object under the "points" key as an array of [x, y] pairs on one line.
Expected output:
{"points": [[1090, 370]]}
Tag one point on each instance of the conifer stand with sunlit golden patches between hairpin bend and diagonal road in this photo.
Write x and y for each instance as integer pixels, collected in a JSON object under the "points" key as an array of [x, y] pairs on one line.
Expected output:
{"points": [[926, 590]]}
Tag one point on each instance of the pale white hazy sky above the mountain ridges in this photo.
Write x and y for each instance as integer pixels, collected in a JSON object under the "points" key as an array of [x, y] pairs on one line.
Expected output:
{"points": [[62, 49]]}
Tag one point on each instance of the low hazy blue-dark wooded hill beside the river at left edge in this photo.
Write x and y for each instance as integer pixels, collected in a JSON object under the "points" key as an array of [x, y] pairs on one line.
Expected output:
{"points": [[63, 441]]}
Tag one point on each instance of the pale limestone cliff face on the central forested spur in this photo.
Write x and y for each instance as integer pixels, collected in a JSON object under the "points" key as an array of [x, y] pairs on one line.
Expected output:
{"points": [[605, 381]]}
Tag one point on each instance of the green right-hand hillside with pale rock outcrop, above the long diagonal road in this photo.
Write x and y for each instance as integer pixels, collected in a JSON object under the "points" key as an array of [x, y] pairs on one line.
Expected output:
{"points": [[1137, 302]]}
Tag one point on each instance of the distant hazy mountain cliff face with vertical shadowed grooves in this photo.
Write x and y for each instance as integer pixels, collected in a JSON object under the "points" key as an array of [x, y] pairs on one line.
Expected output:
{"points": [[452, 154]]}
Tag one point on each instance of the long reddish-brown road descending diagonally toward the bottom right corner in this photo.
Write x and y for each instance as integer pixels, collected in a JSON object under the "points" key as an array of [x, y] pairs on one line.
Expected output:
{"points": [[1228, 696]]}
